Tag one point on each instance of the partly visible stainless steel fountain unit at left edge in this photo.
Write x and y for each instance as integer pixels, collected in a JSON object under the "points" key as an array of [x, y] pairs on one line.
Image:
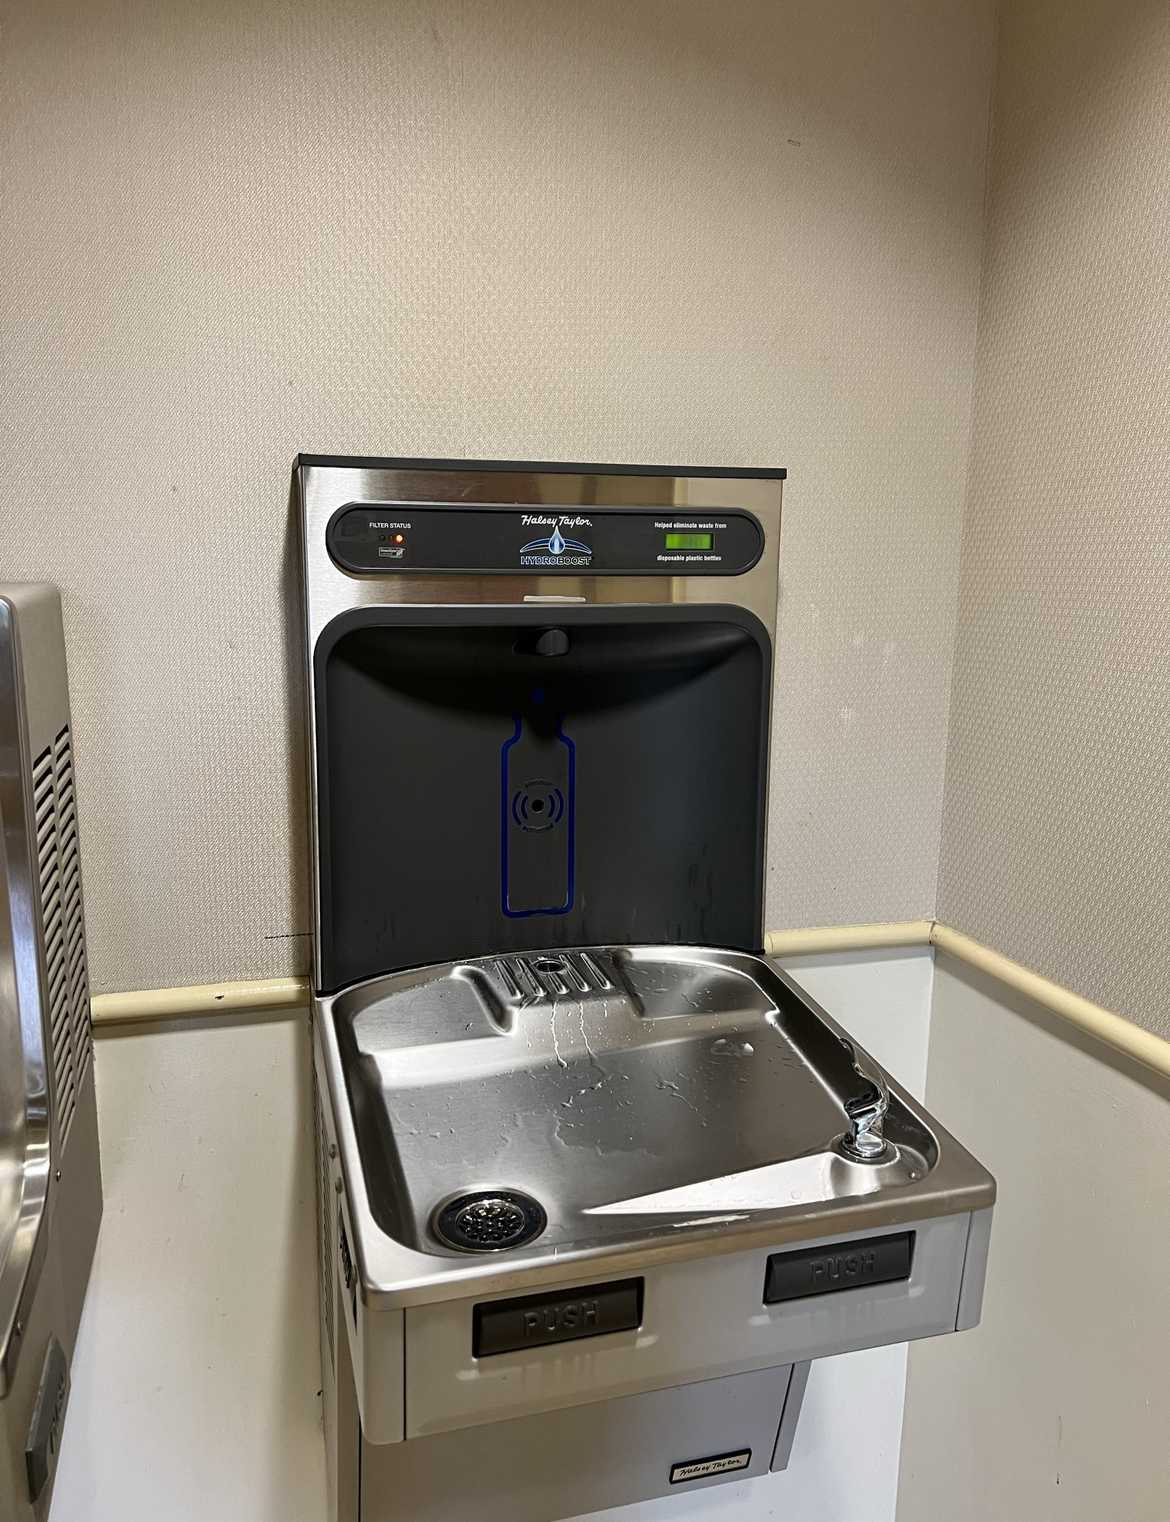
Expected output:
{"points": [[51, 1192]]}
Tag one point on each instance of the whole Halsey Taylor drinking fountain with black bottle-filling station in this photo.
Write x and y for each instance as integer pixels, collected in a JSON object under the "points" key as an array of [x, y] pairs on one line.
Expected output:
{"points": [[597, 1180]]}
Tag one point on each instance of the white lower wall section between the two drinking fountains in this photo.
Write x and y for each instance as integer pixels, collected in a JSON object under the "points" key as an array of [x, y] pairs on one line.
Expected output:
{"points": [[197, 1375]]}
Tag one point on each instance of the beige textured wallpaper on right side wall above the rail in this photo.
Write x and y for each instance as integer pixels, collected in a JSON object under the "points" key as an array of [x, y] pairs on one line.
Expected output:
{"points": [[1057, 844]]}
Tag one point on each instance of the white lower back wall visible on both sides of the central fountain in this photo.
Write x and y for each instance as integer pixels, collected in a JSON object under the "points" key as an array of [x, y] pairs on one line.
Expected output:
{"points": [[197, 1374]]}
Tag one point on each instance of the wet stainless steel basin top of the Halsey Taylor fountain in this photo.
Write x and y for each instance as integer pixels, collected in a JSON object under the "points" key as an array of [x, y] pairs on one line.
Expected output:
{"points": [[644, 1097]]}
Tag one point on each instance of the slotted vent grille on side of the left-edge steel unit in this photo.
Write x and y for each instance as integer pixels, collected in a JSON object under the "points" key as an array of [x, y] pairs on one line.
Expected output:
{"points": [[59, 868]]}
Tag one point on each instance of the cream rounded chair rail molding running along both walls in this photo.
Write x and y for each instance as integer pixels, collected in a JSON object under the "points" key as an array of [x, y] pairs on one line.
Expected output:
{"points": [[258, 996]]}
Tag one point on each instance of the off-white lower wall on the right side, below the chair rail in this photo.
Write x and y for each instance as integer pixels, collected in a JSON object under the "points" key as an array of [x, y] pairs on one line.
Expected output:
{"points": [[1058, 1406]]}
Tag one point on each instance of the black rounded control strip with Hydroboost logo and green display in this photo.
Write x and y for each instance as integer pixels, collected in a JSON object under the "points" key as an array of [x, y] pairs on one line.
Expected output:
{"points": [[393, 538]]}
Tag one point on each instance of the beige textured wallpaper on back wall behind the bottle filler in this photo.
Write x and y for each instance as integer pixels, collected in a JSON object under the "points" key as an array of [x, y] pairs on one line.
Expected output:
{"points": [[660, 231]]}
